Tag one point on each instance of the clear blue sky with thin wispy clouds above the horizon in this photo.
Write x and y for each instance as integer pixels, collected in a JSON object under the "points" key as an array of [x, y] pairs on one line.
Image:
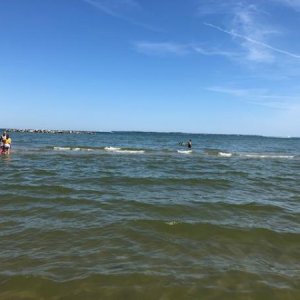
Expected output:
{"points": [[196, 66]]}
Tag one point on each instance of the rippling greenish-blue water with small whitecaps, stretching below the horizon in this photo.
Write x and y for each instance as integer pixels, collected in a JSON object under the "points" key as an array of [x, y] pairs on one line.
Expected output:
{"points": [[126, 216]]}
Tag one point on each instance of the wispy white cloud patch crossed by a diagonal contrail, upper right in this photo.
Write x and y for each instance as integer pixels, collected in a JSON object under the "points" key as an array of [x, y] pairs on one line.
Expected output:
{"points": [[248, 24]]}
